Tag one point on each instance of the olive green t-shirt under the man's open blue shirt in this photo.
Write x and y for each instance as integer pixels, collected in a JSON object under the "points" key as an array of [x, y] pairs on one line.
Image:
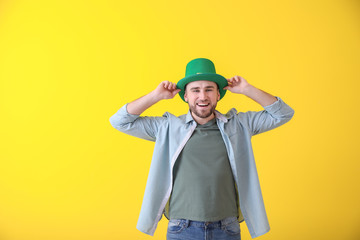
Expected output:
{"points": [[203, 186]]}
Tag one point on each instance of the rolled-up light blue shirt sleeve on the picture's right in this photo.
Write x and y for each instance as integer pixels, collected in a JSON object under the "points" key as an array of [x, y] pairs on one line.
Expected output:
{"points": [[272, 116]]}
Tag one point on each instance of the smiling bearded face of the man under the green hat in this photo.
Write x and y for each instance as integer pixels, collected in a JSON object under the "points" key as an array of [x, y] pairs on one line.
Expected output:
{"points": [[202, 97]]}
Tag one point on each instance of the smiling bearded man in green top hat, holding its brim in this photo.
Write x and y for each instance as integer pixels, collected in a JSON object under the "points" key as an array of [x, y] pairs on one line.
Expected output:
{"points": [[203, 175]]}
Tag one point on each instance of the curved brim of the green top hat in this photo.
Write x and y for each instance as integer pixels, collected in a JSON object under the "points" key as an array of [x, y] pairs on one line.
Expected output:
{"points": [[213, 77]]}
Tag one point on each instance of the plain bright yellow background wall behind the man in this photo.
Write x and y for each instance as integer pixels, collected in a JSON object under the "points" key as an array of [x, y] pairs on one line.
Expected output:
{"points": [[67, 66]]}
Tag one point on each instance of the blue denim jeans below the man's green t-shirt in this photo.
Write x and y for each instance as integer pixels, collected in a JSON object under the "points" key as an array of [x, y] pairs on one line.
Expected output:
{"points": [[182, 229]]}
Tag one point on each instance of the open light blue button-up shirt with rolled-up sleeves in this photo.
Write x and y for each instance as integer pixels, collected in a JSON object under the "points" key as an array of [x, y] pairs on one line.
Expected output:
{"points": [[171, 133]]}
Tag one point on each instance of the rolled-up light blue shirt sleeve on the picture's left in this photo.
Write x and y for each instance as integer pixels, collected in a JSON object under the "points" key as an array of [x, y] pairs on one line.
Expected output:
{"points": [[134, 125]]}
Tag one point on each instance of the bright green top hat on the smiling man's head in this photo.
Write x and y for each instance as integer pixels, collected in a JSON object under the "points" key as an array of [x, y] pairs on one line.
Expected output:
{"points": [[201, 69]]}
